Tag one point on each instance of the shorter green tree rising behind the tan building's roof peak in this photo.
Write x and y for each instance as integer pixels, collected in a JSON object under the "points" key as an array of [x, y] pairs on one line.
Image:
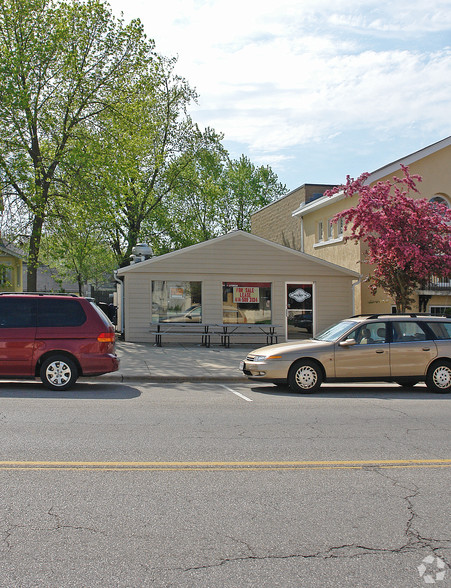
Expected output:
{"points": [[215, 195]]}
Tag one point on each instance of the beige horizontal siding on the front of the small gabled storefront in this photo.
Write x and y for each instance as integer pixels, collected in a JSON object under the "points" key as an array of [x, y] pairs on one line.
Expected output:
{"points": [[236, 258]]}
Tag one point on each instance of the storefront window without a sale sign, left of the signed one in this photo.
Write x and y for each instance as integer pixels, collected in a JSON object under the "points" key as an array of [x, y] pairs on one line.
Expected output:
{"points": [[176, 302]]}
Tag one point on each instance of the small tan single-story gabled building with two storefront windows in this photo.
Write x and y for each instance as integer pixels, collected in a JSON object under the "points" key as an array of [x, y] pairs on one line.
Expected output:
{"points": [[237, 278]]}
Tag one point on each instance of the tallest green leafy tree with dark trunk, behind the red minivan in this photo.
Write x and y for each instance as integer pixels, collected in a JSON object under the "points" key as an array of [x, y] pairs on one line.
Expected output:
{"points": [[61, 66]]}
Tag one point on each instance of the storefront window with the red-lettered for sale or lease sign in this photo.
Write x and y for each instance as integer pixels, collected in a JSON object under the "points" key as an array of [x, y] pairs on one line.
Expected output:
{"points": [[246, 302]]}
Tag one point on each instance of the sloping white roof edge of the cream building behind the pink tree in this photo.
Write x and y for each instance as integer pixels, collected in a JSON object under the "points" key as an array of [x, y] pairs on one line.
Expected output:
{"points": [[376, 175]]}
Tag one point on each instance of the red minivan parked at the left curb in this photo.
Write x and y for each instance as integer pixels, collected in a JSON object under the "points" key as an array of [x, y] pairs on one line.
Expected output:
{"points": [[55, 337]]}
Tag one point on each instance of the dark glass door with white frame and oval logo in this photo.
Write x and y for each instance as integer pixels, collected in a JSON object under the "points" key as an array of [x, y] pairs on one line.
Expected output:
{"points": [[299, 311]]}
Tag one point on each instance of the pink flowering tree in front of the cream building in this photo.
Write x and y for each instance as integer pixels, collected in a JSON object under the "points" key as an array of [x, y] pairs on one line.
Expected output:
{"points": [[406, 240]]}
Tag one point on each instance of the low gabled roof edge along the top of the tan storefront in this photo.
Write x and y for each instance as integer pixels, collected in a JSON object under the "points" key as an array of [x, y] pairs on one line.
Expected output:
{"points": [[159, 260]]}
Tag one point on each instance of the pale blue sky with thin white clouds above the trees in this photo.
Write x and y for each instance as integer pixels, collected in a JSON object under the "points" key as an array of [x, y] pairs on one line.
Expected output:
{"points": [[317, 89]]}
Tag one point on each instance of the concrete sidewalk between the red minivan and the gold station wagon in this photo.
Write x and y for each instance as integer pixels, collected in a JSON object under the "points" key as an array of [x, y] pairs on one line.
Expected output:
{"points": [[144, 362]]}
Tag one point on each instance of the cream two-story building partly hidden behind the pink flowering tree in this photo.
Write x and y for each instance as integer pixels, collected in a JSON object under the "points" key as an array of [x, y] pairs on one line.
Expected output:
{"points": [[317, 236]]}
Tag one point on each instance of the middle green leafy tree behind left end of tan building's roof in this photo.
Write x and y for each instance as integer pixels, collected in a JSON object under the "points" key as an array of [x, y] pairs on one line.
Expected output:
{"points": [[138, 154]]}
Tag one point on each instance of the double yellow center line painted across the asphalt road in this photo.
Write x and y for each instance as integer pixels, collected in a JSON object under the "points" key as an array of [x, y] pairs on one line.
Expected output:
{"points": [[220, 465]]}
